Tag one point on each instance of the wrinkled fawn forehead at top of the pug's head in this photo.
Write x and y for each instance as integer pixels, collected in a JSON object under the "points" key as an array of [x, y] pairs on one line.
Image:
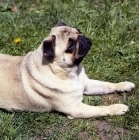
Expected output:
{"points": [[65, 31]]}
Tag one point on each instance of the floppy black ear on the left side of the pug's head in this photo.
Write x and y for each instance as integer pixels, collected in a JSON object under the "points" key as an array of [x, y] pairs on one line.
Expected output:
{"points": [[48, 49]]}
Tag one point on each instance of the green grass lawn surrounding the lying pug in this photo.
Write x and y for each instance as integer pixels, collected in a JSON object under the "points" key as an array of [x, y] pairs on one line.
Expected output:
{"points": [[113, 26]]}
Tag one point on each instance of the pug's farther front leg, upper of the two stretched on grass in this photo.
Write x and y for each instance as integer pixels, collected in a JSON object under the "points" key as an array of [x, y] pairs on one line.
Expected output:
{"points": [[99, 87]]}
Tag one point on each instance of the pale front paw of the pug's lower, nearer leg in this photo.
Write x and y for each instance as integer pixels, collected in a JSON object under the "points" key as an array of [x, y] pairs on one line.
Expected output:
{"points": [[118, 109]]}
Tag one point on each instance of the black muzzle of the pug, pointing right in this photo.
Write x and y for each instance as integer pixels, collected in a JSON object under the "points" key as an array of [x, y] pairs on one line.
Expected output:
{"points": [[84, 47]]}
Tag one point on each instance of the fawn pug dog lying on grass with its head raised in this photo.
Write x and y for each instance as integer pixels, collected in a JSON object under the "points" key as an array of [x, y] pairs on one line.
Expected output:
{"points": [[53, 78]]}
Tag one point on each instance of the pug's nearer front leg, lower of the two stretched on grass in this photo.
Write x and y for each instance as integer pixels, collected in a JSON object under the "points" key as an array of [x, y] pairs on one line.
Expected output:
{"points": [[86, 111]]}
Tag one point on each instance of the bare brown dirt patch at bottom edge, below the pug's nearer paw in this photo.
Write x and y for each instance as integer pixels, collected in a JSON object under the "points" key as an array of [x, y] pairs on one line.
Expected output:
{"points": [[108, 132]]}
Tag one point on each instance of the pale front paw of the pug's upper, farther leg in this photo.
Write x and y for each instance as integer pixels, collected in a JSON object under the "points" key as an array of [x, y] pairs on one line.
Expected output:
{"points": [[125, 86]]}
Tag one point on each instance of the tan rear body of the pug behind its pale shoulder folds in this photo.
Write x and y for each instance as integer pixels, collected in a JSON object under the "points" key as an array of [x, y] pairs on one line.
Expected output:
{"points": [[10, 88]]}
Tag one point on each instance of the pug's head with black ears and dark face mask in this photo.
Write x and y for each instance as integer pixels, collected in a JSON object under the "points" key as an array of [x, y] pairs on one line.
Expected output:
{"points": [[65, 45]]}
